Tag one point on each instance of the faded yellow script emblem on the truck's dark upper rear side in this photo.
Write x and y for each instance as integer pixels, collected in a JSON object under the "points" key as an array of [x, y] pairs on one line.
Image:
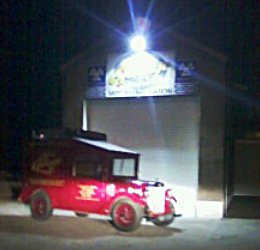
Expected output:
{"points": [[46, 164]]}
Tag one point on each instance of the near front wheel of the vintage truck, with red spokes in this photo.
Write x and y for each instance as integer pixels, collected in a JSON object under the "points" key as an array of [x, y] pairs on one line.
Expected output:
{"points": [[126, 215]]}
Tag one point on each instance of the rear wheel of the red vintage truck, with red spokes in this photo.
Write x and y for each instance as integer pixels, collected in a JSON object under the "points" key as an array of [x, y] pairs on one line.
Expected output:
{"points": [[40, 206]]}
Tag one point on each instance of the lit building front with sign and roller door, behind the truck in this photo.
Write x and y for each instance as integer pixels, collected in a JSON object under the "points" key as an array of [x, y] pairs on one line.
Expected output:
{"points": [[166, 104]]}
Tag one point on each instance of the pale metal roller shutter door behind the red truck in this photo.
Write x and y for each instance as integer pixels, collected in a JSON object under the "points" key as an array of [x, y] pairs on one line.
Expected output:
{"points": [[166, 133]]}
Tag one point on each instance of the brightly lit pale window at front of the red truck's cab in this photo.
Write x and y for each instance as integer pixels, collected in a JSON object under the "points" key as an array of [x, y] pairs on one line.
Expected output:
{"points": [[124, 167]]}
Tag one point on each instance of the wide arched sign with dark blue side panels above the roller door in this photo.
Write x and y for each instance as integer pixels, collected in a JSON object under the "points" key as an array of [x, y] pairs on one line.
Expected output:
{"points": [[142, 74]]}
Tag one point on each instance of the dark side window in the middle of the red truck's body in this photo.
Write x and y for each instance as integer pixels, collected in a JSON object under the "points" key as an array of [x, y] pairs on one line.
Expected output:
{"points": [[87, 168]]}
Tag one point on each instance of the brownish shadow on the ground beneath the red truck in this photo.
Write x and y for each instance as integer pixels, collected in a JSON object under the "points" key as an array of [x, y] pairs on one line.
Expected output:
{"points": [[76, 228]]}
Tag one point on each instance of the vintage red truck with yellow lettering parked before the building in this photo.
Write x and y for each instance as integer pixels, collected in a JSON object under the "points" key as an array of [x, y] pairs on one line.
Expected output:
{"points": [[86, 174]]}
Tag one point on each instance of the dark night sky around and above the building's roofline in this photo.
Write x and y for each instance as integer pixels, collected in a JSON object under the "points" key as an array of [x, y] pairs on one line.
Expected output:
{"points": [[39, 36]]}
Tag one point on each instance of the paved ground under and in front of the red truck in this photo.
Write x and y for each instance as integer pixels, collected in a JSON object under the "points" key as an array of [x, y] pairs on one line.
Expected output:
{"points": [[20, 232]]}
